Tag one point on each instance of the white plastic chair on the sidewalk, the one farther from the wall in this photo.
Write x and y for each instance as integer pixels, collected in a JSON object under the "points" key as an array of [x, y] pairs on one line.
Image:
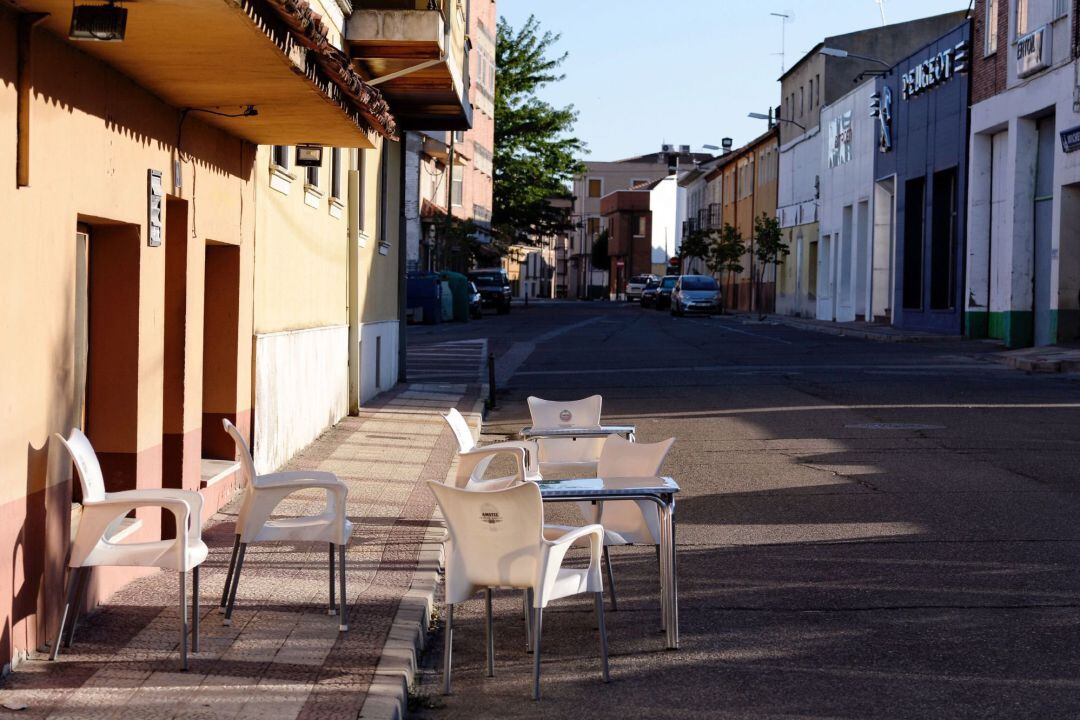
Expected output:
{"points": [[262, 496]]}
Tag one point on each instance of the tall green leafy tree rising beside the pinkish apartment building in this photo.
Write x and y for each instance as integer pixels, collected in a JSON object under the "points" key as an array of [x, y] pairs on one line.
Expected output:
{"points": [[536, 155]]}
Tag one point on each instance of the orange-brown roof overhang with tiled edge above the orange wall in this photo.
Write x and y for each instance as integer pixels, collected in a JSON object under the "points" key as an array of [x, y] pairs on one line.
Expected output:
{"points": [[225, 56]]}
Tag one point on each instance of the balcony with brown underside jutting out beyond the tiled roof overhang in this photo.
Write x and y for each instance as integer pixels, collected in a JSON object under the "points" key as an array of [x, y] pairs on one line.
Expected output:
{"points": [[417, 53]]}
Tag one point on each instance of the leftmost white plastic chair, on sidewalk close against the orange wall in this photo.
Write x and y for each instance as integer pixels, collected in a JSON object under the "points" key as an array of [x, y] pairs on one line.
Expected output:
{"points": [[103, 518]]}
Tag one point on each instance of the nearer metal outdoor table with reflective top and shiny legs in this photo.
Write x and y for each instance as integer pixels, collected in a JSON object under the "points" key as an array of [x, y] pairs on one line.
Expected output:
{"points": [[660, 491]]}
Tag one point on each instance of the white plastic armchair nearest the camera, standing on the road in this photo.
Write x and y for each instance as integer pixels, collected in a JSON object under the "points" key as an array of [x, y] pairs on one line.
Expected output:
{"points": [[496, 539]]}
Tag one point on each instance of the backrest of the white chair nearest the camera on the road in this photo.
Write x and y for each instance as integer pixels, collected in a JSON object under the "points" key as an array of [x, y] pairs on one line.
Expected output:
{"points": [[495, 536]]}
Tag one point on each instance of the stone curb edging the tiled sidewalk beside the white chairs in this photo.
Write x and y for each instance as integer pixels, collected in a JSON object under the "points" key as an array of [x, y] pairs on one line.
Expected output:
{"points": [[399, 662]]}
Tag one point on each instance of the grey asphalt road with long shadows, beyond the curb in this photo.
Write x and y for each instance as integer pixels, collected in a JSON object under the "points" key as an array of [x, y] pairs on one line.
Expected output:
{"points": [[832, 563]]}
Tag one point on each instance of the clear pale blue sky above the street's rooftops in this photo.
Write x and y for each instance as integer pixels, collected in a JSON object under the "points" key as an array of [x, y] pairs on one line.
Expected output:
{"points": [[687, 72]]}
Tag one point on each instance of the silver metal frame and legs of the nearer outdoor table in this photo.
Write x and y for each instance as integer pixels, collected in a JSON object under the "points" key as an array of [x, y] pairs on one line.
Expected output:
{"points": [[669, 562]]}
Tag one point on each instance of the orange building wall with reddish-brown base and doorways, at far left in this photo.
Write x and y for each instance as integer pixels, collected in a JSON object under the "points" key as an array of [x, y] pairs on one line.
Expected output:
{"points": [[94, 135]]}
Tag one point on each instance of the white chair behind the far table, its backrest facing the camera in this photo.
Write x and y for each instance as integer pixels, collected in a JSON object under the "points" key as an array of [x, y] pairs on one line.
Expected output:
{"points": [[566, 454]]}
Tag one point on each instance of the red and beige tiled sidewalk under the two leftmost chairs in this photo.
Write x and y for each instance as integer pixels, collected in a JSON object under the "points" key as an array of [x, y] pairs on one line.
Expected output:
{"points": [[283, 657]]}
